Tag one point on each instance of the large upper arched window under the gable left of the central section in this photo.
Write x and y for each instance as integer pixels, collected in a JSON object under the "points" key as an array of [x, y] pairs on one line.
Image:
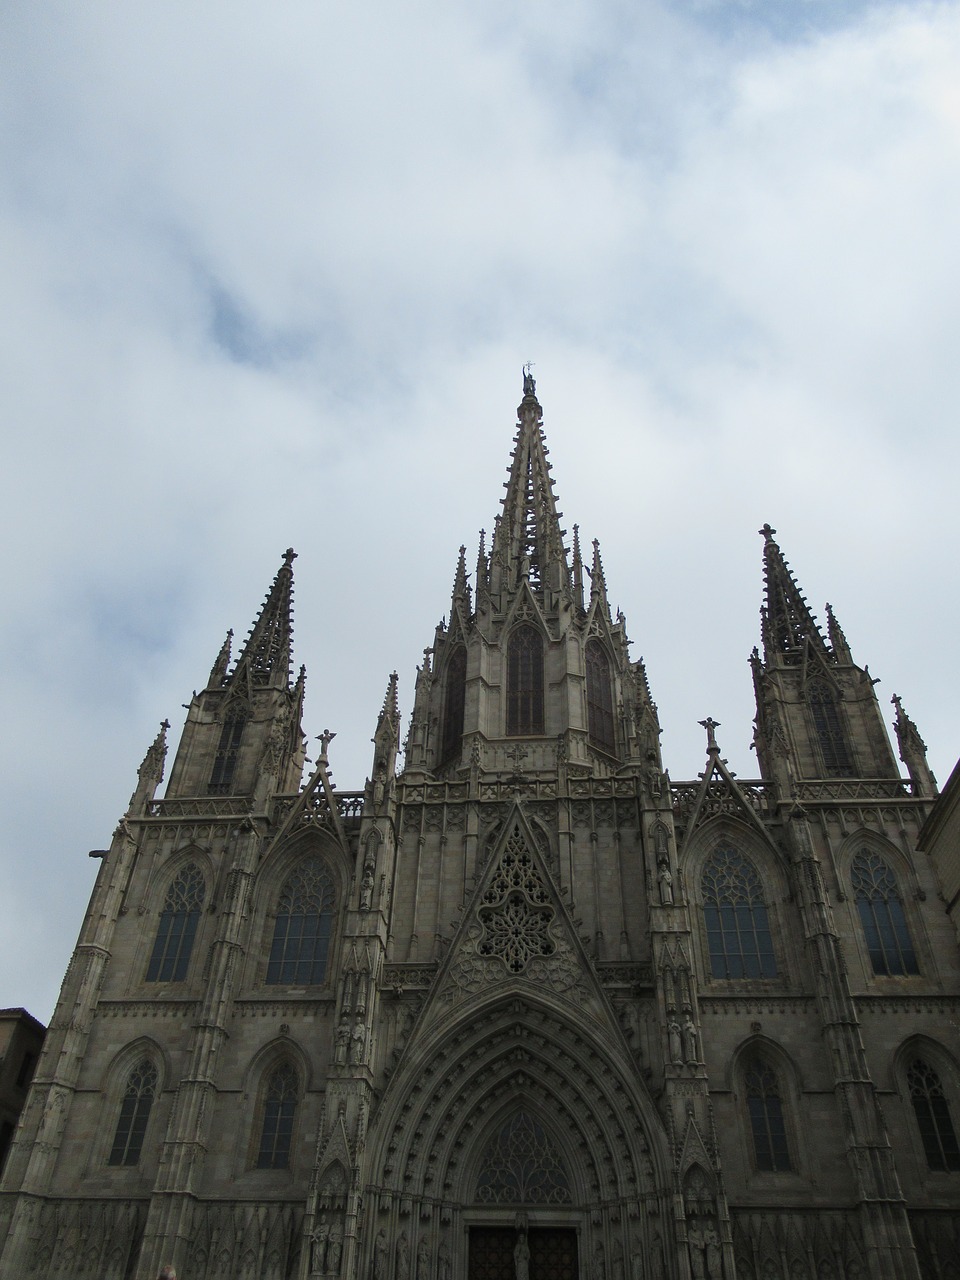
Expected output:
{"points": [[304, 926]]}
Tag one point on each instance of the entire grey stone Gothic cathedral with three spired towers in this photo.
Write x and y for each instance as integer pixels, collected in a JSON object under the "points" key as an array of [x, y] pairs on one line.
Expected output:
{"points": [[524, 1008]]}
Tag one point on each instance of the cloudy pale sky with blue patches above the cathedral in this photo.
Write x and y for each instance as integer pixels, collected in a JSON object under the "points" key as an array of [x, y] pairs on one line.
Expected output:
{"points": [[268, 278]]}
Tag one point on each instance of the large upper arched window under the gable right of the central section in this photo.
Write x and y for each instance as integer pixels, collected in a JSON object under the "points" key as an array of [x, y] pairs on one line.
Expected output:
{"points": [[738, 932]]}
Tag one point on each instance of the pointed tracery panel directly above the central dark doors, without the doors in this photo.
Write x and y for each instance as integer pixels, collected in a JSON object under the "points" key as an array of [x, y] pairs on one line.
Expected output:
{"points": [[522, 1167]]}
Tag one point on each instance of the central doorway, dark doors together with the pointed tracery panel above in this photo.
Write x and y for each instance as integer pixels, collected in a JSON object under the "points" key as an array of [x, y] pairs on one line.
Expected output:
{"points": [[522, 1176]]}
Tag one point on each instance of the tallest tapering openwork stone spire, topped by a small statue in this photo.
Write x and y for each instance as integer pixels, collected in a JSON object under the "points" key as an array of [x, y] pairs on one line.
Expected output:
{"points": [[528, 543]]}
